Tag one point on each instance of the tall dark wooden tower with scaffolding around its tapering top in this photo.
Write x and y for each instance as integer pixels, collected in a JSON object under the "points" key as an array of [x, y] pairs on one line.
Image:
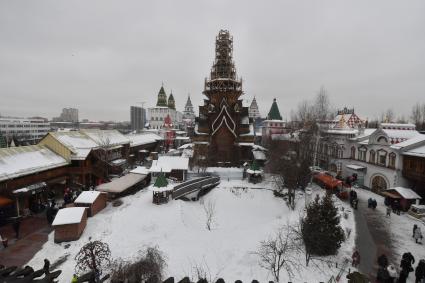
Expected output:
{"points": [[224, 132]]}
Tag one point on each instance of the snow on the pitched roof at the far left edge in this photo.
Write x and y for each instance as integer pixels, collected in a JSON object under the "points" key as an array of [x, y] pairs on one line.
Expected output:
{"points": [[25, 160]]}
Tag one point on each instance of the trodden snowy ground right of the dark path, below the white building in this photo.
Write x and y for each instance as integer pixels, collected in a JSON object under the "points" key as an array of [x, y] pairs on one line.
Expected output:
{"points": [[401, 228]]}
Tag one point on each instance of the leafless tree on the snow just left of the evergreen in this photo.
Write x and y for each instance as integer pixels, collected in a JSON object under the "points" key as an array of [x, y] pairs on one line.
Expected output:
{"points": [[280, 252]]}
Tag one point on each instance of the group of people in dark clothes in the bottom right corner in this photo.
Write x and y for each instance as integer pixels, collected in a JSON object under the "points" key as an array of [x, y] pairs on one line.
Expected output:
{"points": [[387, 273]]}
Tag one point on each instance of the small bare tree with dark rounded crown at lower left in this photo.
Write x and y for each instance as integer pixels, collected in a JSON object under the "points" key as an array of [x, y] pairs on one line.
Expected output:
{"points": [[93, 256]]}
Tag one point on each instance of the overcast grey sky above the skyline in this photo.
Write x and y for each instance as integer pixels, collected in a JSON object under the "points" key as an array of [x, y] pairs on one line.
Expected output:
{"points": [[103, 56]]}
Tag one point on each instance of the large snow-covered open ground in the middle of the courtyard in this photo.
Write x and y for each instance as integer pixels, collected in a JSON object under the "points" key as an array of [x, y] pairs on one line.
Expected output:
{"points": [[243, 218]]}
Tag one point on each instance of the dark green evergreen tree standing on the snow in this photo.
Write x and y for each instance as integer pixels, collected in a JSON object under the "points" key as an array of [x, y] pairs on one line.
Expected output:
{"points": [[320, 229]]}
